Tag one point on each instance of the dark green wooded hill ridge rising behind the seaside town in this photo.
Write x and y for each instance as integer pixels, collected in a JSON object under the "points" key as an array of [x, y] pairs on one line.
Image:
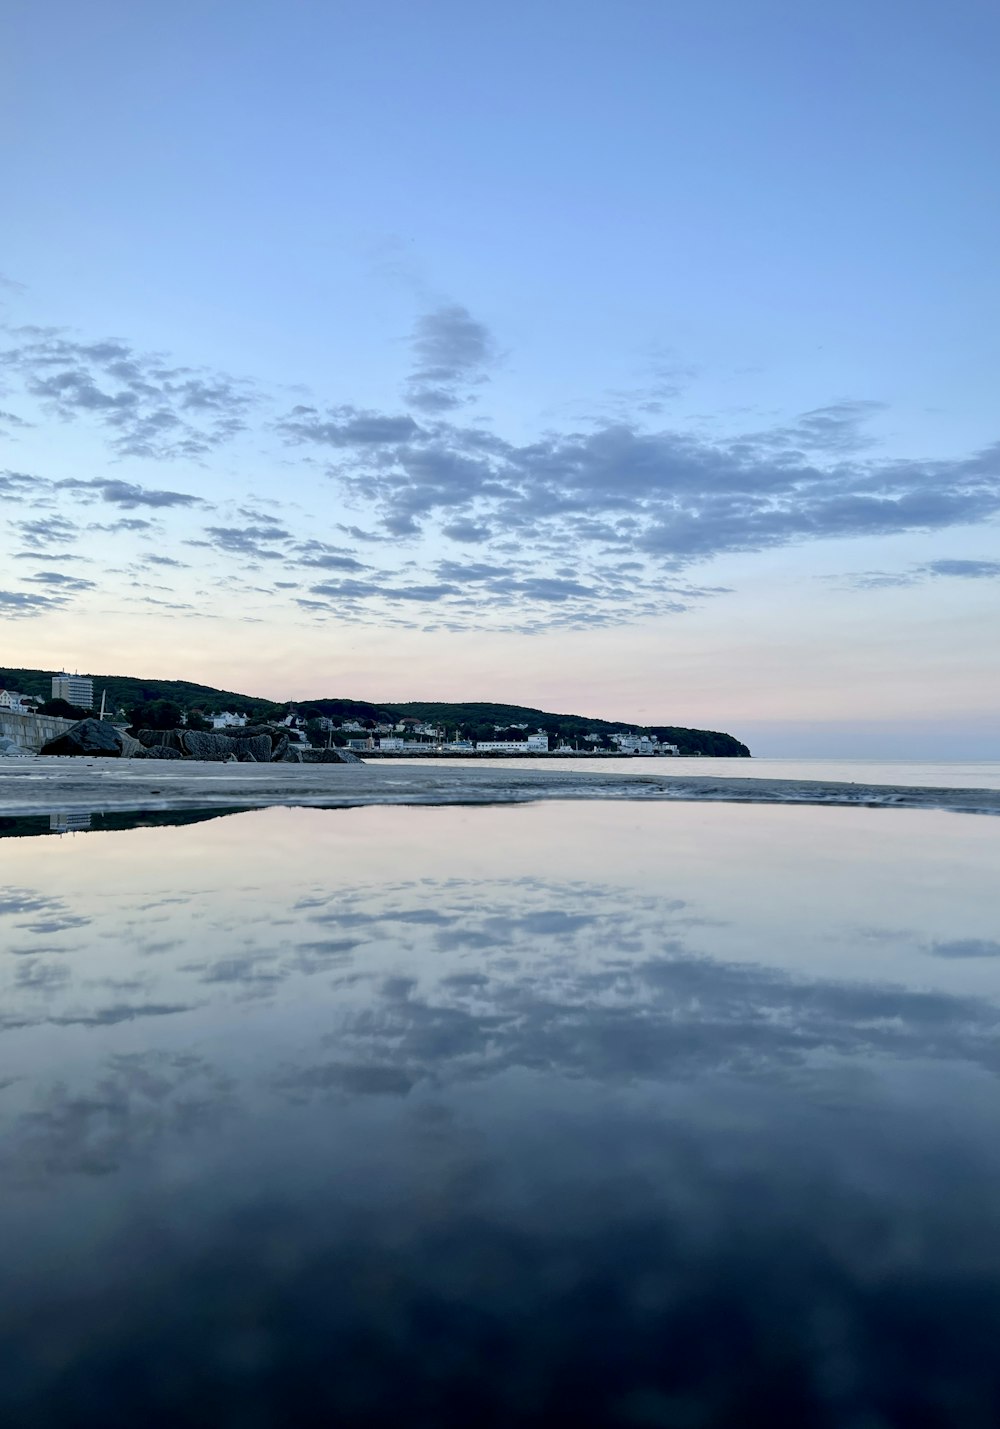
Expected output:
{"points": [[471, 721]]}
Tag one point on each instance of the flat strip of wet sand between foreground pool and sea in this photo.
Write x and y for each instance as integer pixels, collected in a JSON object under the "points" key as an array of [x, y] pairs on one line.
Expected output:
{"points": [[61, 785]]}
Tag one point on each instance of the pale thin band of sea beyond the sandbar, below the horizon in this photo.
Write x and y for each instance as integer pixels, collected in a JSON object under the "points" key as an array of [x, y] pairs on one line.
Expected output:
{"points": [[939, 775]]}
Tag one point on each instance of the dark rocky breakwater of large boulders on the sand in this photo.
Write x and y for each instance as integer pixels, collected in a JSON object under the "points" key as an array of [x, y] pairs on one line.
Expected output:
{"points": [[254, 745]]}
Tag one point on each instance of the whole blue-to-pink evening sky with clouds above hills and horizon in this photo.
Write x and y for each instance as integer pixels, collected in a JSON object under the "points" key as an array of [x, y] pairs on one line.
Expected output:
{"points": [[635, 359]]}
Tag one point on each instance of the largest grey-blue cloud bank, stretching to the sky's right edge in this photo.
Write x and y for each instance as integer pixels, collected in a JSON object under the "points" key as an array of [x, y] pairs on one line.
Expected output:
{"points": [[669, 497]]}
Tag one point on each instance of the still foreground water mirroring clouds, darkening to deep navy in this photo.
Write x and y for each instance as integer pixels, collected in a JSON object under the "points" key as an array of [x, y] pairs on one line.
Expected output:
{"points": [[561, 1114]]}
